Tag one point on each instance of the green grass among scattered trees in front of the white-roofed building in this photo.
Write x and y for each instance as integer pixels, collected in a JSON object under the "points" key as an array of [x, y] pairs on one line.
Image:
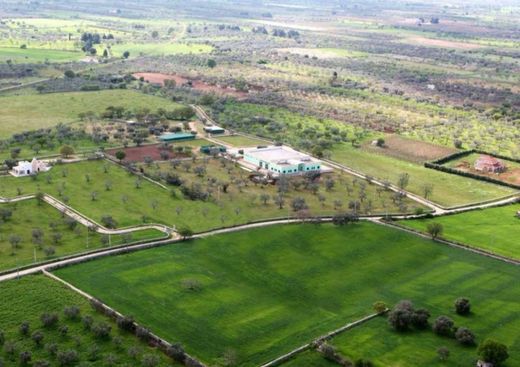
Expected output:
{"points": [[127, 204]]}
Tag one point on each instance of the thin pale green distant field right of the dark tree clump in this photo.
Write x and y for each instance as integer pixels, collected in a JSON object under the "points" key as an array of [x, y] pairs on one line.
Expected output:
{"points": [[155, 49]]}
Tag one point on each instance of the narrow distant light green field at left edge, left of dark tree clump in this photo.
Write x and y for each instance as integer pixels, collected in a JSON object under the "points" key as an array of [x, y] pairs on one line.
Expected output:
{"points": [[37, 55]]}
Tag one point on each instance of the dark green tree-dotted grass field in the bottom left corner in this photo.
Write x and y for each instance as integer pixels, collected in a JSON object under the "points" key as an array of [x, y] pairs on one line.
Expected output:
{"points": [[26, 299]]}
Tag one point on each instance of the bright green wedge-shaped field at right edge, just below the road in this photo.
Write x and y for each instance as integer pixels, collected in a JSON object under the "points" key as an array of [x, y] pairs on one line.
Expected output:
{"points": [[496, 229]]}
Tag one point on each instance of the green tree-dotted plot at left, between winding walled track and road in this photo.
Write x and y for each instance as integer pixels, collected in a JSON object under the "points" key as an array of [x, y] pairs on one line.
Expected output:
{"points": [[27, 216]]}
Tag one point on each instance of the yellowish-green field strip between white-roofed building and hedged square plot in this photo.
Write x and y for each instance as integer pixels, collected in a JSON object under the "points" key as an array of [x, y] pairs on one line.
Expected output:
{"points": [[448, 190]]}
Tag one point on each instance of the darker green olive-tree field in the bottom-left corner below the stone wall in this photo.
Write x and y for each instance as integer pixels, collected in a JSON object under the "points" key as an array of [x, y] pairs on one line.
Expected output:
{"points": [[31, 297]]}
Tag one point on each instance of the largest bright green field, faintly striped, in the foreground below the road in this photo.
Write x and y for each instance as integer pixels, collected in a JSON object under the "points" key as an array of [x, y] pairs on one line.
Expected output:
{"points": [[266, 291]]}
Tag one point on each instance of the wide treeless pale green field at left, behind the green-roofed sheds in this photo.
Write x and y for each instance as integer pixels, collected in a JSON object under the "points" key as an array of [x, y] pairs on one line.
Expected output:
{"points": [[29, 112]]}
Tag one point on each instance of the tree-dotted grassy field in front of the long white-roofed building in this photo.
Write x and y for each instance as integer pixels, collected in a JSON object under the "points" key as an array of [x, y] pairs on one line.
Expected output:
{"points": [[100, 188]]}
